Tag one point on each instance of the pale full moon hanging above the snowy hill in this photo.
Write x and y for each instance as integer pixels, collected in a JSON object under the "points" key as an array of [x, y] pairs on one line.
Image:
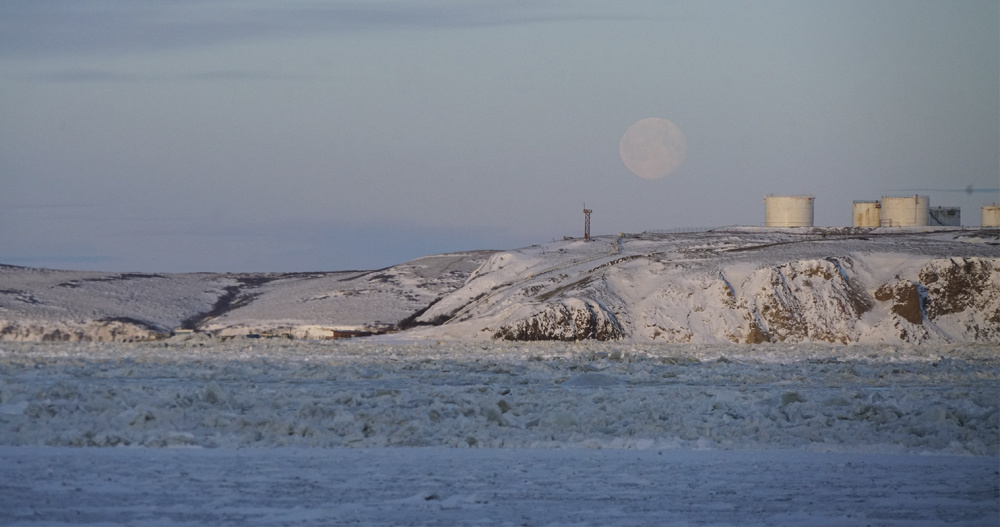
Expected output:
{"points": [[653, 148]]}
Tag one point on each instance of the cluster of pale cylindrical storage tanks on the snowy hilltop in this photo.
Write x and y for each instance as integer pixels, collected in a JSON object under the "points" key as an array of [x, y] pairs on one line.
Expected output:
{"points": [[890, 211]]}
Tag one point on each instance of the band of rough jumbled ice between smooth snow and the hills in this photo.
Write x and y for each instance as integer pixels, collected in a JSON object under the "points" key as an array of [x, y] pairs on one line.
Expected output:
{"points": [[278, 392]]}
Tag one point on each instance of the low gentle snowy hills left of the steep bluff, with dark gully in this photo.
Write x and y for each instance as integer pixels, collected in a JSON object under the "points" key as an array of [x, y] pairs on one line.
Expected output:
{"points": [[47, 305]]}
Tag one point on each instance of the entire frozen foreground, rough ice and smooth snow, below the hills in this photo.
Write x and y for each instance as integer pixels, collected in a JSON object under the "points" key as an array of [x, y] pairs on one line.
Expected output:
{"points": [[492, 433]]}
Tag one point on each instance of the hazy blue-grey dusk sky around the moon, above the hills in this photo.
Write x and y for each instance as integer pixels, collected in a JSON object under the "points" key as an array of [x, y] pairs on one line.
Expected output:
{"points": [[222, 135]]}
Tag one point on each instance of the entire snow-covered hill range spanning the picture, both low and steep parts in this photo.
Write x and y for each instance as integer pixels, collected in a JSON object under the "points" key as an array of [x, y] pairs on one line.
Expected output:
{"points": [[742, 285]]}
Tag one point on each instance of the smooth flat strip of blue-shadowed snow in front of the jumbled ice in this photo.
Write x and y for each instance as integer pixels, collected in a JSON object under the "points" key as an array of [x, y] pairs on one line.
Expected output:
{"points": [[438, 486]]}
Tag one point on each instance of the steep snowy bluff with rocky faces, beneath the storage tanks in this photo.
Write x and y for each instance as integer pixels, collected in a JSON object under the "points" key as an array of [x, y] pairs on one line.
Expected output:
{"points": [[745, 286]]}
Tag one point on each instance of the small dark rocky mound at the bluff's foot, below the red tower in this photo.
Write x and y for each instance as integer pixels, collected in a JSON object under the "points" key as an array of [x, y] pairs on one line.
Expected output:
{"points": [[569, 320]]}
